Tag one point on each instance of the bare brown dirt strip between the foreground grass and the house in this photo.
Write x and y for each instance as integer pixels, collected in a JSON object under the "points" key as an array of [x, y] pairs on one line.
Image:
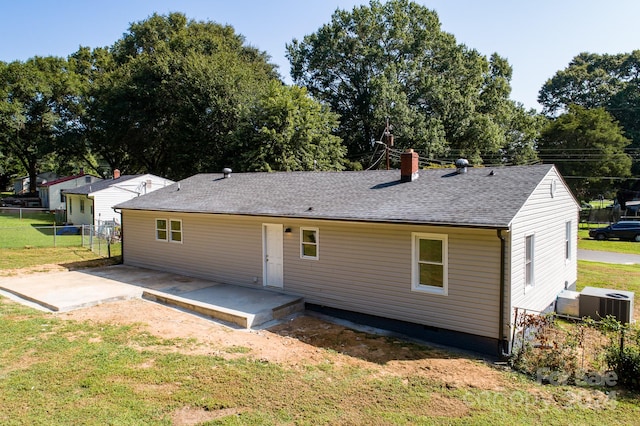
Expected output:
{"points": [[300, 341]]}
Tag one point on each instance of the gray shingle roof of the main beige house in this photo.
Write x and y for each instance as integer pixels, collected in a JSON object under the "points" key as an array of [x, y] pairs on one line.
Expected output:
{"points": [[438, 196]]}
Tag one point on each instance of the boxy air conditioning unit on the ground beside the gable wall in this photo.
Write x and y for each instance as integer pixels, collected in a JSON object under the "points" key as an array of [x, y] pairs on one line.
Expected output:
{"points": [[597, 303]]}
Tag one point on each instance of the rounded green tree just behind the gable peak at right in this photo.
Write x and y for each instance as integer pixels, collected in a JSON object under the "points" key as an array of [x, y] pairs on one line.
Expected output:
{"points": [[588, 146]]}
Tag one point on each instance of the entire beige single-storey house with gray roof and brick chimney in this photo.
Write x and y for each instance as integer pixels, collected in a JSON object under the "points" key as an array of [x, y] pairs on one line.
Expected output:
{"points": [[442, 254]]}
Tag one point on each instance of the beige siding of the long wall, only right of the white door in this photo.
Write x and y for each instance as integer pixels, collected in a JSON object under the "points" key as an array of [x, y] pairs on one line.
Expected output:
{"points": [[367, 268]]}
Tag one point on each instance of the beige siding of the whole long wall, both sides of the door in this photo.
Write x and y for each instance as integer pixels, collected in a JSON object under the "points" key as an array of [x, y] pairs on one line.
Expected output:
{"points": [[362, 267]]}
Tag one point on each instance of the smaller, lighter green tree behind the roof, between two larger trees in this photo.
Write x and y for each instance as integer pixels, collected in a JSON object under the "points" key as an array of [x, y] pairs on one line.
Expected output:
{"points": [[286, 130]]}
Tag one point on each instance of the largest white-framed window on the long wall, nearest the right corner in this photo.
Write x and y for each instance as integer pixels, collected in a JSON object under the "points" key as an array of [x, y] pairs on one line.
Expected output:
{"points": [[430, 263]]}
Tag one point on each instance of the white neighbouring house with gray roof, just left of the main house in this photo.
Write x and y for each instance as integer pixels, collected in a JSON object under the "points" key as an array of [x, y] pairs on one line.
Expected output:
{"points": [[92, 204]]}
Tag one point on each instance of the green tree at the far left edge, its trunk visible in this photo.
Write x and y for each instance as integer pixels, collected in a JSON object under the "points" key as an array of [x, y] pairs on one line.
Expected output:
{"points": [[40, 103]]}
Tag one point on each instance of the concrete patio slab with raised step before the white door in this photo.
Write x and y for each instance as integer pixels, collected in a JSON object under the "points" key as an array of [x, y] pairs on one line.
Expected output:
{"points": [[65, 291]]}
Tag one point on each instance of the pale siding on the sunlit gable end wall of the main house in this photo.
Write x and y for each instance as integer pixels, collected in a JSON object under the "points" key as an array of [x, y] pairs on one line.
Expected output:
{"points": [[545, 217]]}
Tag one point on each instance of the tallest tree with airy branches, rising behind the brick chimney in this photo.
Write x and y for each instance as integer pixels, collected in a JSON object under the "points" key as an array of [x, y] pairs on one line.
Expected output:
{"points": [[391, 59]]}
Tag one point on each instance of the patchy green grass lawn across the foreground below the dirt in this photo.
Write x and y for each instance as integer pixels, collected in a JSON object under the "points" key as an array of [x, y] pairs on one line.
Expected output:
{"points": [[72, 372]]}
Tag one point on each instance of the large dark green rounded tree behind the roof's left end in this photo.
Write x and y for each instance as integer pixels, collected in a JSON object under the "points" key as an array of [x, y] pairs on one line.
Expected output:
{"points": [[167, 97]]}
